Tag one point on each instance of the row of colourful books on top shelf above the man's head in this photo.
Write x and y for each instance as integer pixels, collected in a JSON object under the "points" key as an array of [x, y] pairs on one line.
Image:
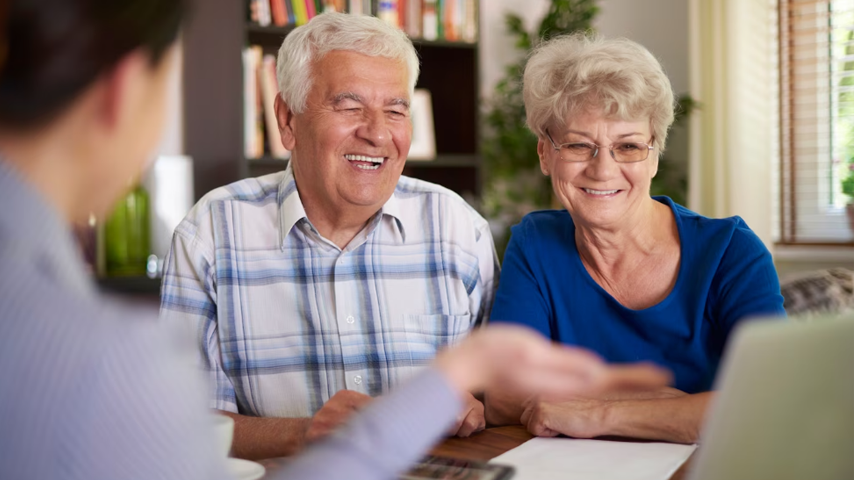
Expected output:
{"points": [[452, 20]]}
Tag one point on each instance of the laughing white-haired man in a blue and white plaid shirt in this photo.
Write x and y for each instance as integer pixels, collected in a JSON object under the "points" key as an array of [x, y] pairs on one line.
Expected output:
{"points": [[314, 289]]}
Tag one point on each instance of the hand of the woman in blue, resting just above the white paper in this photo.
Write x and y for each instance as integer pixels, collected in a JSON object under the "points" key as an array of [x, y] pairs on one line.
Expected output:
{"points": [[579, 417]]}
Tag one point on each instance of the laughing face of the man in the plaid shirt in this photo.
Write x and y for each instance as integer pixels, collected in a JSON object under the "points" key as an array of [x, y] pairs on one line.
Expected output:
{"points": [[350, 144]]}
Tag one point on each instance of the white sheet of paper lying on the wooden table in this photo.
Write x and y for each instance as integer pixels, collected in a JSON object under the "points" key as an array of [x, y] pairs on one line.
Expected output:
{"points": [[562, 458]]}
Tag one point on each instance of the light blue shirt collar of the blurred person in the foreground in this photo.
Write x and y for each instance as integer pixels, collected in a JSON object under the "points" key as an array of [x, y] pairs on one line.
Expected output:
{"points": [[34, 230]]}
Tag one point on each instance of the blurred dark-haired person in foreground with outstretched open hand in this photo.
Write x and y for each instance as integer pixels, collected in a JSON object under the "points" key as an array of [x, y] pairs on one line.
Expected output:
{"points": [[95, 391]]}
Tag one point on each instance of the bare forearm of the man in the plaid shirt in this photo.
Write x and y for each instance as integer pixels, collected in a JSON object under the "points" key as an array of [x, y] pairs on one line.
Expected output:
{"points": [[258, 437]]}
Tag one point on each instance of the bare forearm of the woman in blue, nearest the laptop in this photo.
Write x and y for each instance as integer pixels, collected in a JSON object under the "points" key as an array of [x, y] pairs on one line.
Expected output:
{"points": [[676, 419]]}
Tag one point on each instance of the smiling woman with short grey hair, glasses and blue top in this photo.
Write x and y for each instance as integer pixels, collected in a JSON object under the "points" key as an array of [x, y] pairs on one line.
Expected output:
{"points": [[627, 275]]}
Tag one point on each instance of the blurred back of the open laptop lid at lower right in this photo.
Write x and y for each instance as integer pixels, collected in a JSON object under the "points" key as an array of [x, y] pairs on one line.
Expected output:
{"points": [[785, 404]]}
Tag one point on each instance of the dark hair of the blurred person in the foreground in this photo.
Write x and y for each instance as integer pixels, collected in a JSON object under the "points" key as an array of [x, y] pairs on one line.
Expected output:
{"points": [[52, 50]]}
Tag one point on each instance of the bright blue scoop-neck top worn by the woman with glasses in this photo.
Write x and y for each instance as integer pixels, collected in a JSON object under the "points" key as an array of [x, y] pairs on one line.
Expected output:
{"points": [[725, 275]]}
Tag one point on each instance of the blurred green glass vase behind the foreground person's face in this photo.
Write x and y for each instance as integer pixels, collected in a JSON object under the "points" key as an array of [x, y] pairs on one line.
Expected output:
{"points": [[126, 235]]}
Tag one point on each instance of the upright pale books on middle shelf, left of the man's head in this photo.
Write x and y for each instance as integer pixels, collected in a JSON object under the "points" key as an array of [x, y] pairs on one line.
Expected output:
{"points": [[260, 129]]}
